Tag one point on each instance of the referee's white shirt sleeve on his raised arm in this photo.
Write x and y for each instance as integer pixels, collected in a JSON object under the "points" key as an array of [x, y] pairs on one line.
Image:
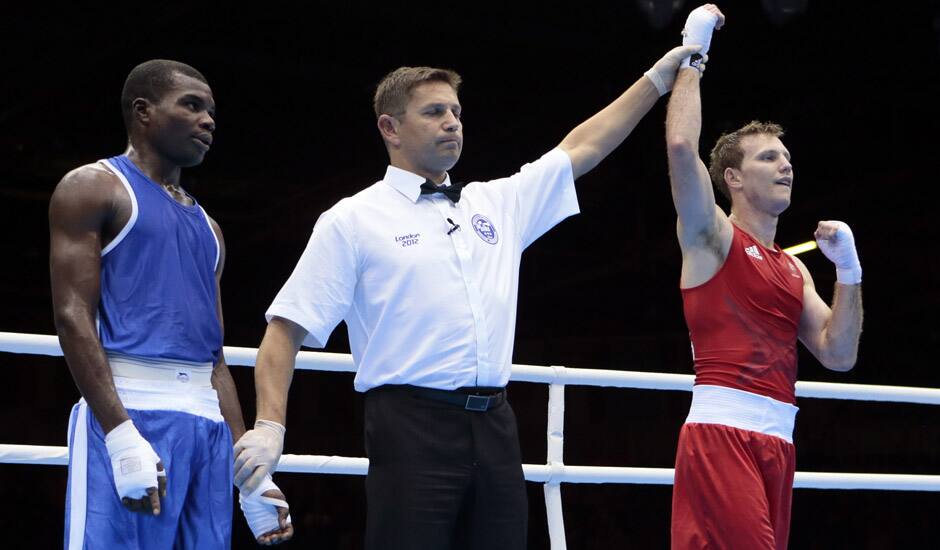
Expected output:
{"points": [[545, 194]]}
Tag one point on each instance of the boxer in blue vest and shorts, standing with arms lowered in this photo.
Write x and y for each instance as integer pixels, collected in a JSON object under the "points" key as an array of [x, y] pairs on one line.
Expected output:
{"points": [[135, 265]]}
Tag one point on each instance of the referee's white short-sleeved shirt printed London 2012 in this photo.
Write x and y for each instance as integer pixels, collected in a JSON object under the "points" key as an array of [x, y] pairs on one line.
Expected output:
{"points": [[426, 305]]}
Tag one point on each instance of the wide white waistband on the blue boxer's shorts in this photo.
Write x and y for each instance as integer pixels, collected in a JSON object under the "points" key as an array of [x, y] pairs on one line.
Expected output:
{"points": [[145, 384]]}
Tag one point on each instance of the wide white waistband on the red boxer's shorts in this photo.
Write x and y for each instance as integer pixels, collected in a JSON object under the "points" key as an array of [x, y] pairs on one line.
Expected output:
{"points": [[743, 410]]}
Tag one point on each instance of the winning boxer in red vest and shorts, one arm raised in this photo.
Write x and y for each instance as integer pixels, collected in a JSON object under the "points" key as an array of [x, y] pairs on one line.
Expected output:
{"points": [[746, 303]]}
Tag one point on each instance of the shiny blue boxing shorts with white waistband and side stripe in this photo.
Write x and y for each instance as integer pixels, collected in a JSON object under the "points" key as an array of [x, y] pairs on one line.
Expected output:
{"points": [[176, 410]]}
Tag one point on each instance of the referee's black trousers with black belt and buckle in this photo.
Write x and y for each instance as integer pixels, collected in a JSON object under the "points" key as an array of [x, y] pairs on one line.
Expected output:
{"points": [[442, 476]]}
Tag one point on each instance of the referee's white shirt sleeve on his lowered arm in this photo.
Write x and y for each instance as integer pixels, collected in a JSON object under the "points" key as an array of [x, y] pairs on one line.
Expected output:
{"points": [[320, 291]]}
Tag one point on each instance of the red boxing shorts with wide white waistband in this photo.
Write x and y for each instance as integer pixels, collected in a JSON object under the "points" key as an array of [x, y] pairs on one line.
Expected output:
{"points": [[734, 472]]}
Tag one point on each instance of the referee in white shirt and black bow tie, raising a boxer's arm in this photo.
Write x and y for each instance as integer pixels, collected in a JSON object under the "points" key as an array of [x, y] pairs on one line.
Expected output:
{"points": [[425, 273]]}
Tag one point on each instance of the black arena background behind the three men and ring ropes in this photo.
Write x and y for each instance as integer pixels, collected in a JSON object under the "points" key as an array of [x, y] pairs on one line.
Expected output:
{"points": [[855, 85]]}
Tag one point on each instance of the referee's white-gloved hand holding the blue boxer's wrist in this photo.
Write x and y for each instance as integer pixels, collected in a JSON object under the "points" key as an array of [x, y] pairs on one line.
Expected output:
{"points": [[257, 454]]}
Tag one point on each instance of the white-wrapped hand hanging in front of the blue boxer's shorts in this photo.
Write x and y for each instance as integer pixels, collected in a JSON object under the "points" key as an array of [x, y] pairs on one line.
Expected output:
{"points": [[133, 461]]}
